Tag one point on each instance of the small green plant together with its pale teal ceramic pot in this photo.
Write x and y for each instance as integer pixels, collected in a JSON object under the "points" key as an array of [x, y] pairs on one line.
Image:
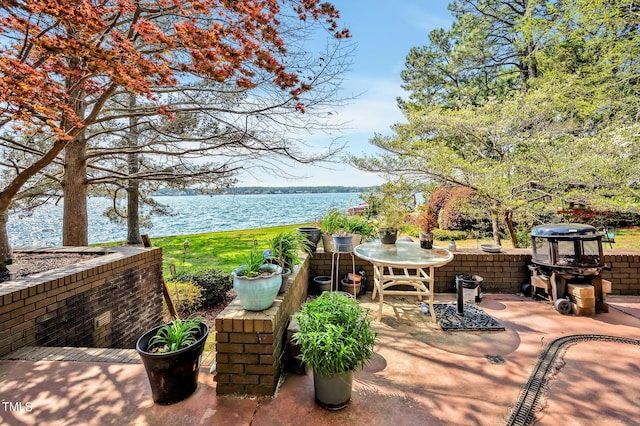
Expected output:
{"points": [[257, 282]]}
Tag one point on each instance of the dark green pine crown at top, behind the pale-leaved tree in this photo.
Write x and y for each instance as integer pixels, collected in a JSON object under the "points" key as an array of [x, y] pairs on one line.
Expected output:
{"points": [[487, 53]]}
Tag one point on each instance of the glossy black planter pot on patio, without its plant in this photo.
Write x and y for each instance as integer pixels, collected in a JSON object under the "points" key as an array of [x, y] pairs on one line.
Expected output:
{"points": [[173, 376]]}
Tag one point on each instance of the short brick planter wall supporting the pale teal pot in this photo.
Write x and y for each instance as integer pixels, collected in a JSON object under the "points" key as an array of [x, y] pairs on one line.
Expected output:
{"points": [[249, 345]]}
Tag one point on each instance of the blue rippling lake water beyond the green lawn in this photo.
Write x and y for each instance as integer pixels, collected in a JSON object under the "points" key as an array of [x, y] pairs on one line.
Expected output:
{"points": [[194, 214]]}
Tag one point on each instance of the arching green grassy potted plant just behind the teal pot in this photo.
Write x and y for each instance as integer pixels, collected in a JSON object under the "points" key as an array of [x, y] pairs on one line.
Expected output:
{"points": [[284, 249]]}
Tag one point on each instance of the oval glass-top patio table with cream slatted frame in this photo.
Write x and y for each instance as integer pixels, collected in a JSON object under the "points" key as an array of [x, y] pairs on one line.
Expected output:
{"points": [[403, 263]]}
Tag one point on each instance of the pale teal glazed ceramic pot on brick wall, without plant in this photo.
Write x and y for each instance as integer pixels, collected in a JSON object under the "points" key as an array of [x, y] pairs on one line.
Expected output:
{"points": [[257, 293]]}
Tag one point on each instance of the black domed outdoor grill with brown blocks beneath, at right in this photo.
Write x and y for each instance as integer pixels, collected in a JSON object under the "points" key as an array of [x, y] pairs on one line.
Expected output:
{"points": [[567, 260]]}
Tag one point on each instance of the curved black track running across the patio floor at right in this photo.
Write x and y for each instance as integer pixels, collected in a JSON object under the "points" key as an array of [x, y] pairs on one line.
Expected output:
{"points": [[522, 413]]}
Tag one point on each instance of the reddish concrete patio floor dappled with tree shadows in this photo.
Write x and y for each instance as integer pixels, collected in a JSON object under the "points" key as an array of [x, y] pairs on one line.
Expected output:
{"points": [[418, 375]]}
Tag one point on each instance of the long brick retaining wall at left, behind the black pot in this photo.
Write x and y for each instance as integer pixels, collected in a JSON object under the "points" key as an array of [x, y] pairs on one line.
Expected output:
{"points": [[108, 301]]}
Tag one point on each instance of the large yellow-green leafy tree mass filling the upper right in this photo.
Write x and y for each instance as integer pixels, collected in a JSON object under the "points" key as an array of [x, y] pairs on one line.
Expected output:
{"points": [[558, 136]]}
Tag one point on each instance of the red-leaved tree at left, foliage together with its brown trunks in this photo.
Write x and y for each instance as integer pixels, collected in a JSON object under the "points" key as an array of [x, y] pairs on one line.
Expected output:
{"points": [[62, 62]]}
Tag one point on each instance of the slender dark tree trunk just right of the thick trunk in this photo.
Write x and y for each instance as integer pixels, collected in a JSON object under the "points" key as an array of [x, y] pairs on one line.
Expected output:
{"points": [[133, 187]]}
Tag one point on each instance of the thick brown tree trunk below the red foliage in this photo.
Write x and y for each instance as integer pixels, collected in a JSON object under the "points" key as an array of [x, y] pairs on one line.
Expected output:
{"points": [[75, 223]]}
